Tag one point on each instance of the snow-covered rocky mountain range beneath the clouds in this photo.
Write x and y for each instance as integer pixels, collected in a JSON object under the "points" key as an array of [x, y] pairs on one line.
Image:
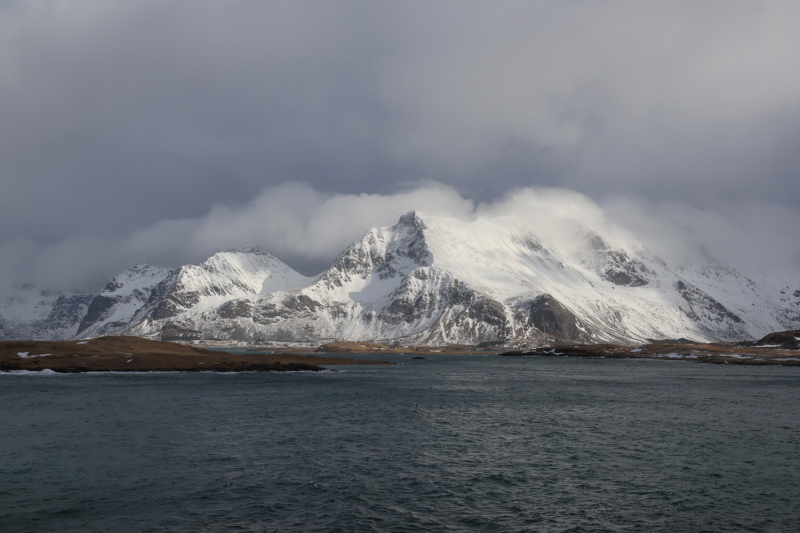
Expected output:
{"points": [[434, 281]]}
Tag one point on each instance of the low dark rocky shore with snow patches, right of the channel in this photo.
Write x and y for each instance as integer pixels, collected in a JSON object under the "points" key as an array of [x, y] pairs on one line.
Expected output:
{"points": [[780, 348]]}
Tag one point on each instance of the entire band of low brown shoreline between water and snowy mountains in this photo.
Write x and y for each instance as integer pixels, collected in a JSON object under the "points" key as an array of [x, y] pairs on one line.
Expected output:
{"points": [[135, 354]]}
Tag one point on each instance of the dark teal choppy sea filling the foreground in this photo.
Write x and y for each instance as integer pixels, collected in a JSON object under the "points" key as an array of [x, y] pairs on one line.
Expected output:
{"points": [[495, 444]]}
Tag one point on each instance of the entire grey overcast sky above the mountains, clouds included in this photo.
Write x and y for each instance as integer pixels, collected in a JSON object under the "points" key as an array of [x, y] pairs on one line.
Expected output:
{"points": [[165, 131]]}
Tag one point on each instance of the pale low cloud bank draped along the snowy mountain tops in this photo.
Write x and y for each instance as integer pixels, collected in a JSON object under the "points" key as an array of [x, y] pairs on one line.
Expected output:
{"points": [[307, 229]]}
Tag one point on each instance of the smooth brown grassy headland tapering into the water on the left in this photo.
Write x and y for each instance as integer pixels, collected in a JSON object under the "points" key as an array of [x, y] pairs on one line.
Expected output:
{"points": [[134, 354]]}
